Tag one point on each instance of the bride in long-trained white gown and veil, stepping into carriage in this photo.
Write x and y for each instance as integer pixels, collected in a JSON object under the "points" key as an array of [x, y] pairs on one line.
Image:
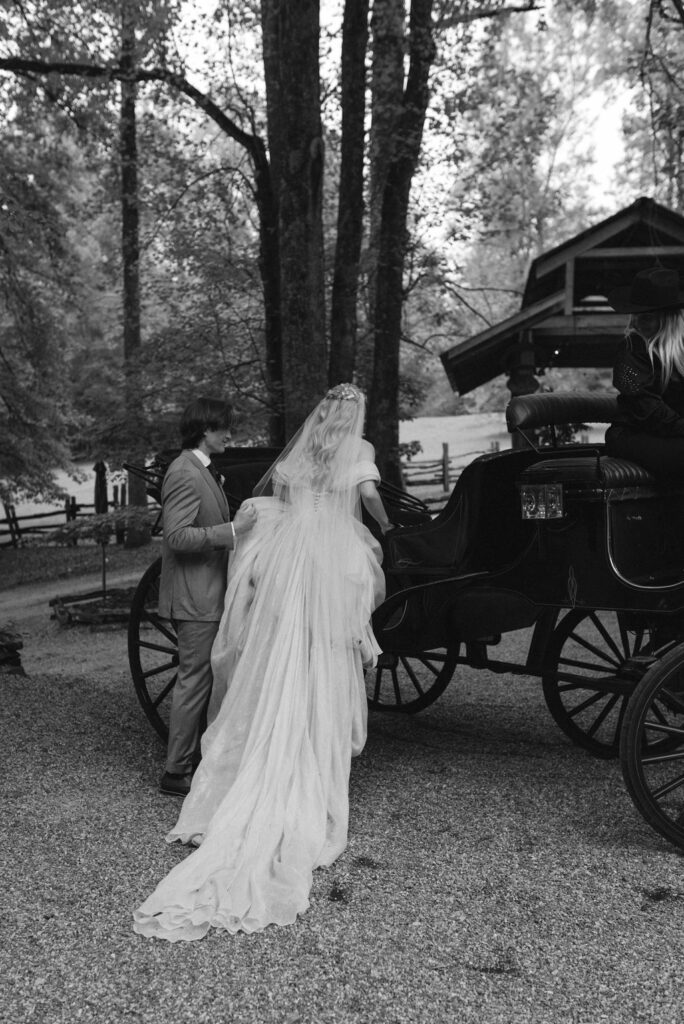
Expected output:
{"points": [[270, 800]]}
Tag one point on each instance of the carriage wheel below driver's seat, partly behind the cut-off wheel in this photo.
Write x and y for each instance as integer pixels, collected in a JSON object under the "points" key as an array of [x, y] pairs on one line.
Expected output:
{"points": [[593, 664]]}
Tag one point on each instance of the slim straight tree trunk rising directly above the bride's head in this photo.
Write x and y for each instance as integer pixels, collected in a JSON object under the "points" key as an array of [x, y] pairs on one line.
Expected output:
{"points": [[351, 209]]}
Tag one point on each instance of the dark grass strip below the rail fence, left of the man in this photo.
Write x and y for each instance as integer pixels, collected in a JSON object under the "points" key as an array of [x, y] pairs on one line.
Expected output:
{"points": [[45, 563]]}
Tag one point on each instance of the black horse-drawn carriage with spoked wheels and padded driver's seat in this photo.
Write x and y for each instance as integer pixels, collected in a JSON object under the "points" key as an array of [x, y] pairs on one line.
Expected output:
{"points": [[584, 551]]}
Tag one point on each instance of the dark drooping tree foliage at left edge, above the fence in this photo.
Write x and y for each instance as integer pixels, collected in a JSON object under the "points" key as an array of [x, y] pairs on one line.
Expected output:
{"points": [[37, 292]]}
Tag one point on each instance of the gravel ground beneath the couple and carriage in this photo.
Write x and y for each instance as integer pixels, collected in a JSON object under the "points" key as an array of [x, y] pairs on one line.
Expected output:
{"points": [[494, 873]]}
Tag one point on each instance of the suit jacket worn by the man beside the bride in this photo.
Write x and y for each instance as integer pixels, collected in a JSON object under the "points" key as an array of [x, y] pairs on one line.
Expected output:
{"points": [[195, 511]]}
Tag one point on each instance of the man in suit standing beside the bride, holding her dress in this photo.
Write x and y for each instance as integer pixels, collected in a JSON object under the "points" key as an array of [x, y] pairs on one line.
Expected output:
{"points": [[197, 537]]}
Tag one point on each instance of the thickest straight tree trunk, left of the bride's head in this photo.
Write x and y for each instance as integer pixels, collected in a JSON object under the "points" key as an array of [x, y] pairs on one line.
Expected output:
{"points": [[295, 142]]}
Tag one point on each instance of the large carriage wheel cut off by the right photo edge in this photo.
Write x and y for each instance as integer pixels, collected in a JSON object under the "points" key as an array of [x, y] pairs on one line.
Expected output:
{"points": [[652, 749]]}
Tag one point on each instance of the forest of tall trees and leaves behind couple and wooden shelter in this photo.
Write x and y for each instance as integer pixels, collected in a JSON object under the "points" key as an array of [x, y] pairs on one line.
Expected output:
{"points": [[263, 198]]}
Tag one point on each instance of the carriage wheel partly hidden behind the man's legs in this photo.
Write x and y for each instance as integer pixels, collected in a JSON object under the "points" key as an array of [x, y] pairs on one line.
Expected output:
{"points": [[153, 652]]}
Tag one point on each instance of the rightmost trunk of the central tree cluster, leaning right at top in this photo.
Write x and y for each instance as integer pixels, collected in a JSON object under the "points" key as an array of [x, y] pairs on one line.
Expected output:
{"points": [[384, 405]]}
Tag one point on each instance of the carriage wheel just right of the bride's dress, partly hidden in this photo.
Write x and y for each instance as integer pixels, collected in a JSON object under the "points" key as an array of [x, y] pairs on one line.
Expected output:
{"points": [[409, 684]]}
